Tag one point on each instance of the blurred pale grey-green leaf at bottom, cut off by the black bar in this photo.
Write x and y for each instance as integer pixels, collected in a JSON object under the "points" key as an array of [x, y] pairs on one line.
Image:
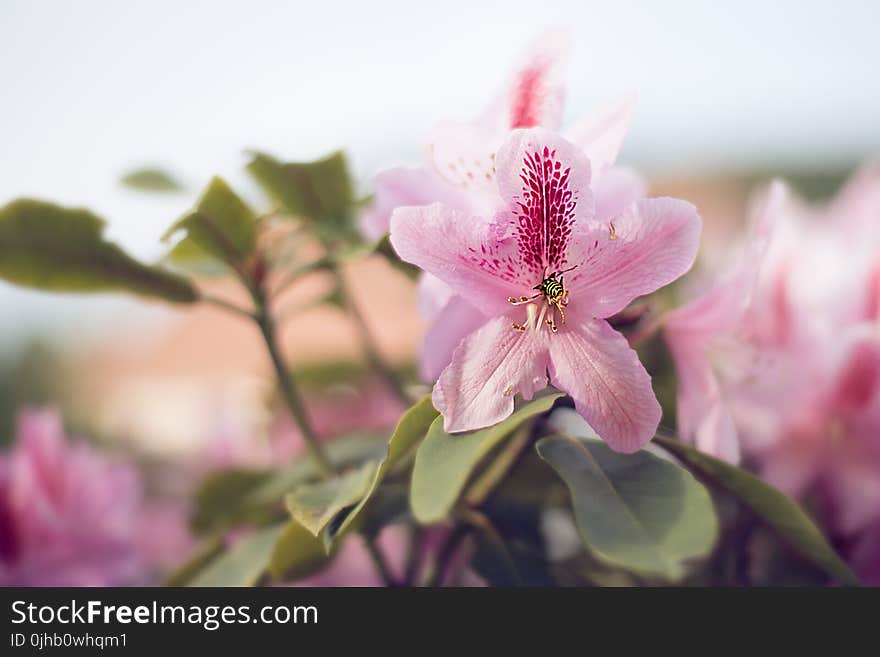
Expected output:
{"points": [[244, 564]]}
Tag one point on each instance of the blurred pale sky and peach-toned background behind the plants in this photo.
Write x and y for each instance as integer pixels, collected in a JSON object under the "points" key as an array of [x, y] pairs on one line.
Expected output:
{"points": [[729, 94]]}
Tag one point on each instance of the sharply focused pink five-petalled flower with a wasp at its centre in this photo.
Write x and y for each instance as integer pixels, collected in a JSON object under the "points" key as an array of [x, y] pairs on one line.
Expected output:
{"points": [[547, 238]]}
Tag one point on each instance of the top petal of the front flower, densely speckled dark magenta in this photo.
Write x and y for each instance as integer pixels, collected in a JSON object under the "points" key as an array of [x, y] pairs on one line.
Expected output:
{"points": [[547, 182]]}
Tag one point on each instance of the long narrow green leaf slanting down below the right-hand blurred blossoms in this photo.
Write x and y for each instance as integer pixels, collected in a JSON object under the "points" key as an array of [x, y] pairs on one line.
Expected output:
{"points": [[779, 512]]}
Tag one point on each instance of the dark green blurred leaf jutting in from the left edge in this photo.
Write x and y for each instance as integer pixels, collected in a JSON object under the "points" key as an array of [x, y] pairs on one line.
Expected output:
{"points": [[49, 247]]}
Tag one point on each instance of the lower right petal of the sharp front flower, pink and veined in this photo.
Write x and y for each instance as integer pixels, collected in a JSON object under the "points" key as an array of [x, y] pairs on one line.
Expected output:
{"points": [[595, 365]]}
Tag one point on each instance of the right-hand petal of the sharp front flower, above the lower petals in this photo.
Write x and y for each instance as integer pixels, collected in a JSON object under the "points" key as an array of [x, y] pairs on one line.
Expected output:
{"points": [[650, 245]]}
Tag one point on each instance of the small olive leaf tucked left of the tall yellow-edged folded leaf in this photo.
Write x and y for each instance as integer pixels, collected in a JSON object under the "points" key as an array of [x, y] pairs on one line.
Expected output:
{"points": [[316, 505]]}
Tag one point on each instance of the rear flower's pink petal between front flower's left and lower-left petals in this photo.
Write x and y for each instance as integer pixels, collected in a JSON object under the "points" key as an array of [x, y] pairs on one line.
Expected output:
{"points": [[456, 321]]}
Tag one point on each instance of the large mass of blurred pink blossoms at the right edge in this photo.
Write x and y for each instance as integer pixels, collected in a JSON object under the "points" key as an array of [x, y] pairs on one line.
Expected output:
{"points": [[781, 360]]}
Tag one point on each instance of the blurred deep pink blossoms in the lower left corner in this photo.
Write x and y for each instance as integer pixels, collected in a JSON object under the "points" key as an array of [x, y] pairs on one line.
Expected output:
{"points": [[71, 517]]}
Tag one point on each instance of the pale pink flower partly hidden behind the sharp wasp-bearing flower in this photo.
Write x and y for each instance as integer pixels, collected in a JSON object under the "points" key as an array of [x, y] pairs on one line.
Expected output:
{"points": [[461, 175]]}
